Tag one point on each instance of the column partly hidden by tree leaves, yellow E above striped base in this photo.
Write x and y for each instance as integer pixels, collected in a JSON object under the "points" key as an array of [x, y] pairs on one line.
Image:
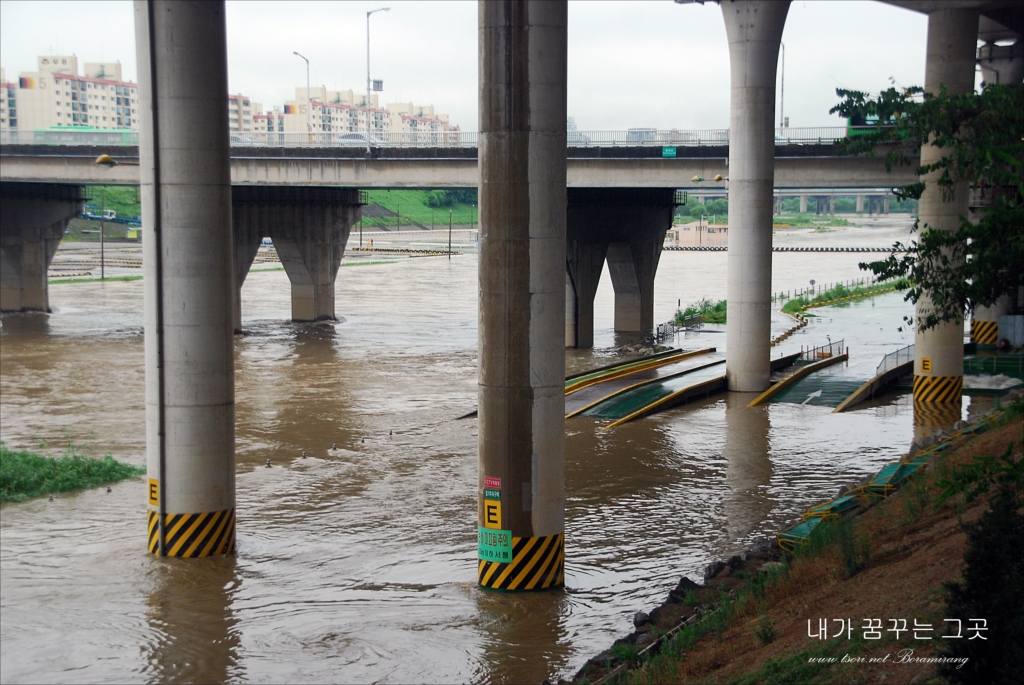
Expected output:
{"points": [[938, 366]]}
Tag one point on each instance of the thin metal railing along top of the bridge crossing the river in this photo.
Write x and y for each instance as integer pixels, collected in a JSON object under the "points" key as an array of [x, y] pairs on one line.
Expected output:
{"points": [[356, 141]]}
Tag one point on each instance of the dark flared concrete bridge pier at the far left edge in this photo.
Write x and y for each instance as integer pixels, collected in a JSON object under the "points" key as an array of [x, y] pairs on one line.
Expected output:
{"points": [[33, 220]]}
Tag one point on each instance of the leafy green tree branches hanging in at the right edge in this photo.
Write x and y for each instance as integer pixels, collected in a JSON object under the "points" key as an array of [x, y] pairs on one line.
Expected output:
{"points": [[984, 139]]}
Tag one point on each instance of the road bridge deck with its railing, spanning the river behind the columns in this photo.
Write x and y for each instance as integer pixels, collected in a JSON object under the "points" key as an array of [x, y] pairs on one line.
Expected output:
{"points": [[805, 159]]}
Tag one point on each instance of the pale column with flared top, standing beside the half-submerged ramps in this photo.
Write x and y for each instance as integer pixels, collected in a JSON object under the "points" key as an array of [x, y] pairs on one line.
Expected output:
{"points": [[755, 30]]}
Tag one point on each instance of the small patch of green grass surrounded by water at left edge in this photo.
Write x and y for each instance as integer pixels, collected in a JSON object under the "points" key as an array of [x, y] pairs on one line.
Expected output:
{"points": [[25, 475]]}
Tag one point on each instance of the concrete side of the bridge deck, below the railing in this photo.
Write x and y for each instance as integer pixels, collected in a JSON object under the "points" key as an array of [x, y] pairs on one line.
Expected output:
{"points": [[797, 167]]}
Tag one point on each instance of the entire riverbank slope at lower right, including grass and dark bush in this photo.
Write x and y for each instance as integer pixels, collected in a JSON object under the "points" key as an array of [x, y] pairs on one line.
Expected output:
{"points": [[945, 548]]}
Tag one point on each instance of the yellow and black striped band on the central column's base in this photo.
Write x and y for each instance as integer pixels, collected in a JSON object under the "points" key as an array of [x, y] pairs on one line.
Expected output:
{"points": [[538, 564]]}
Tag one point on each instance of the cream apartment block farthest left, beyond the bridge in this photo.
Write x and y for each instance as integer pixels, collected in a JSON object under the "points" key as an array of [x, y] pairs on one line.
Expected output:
{"points": [[56, 97]]}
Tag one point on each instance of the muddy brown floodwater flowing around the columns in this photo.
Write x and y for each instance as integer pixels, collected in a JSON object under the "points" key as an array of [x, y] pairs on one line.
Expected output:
{"points": [[359, 565]]}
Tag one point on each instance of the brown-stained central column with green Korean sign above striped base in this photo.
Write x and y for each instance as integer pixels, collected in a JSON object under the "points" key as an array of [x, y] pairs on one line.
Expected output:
{"points": [[522, 507]]}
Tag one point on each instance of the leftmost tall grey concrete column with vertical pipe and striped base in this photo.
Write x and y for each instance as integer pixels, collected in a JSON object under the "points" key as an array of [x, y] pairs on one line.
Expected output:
{"points": [[187, 216]]}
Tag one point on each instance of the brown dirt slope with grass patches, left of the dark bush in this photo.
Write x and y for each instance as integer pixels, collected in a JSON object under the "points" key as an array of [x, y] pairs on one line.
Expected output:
{"points": [[901, 551]]}
